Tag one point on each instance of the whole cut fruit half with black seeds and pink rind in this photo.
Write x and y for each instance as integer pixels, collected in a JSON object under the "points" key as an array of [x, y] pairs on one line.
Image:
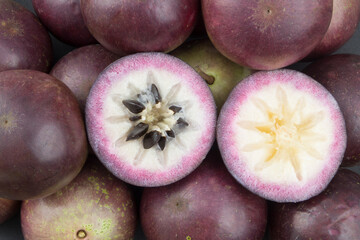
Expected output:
{"points": [[150, 119]]}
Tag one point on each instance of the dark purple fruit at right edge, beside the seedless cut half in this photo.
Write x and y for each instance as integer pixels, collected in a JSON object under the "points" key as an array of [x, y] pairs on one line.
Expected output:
{"points": [[340, 75]]}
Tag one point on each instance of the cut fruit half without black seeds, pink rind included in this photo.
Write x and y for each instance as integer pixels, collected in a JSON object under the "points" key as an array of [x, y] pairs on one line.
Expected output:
{"points": [[282, 135]]}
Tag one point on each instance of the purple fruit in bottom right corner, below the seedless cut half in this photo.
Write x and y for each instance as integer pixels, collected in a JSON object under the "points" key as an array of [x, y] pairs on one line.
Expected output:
{"points": [[333, 214]]}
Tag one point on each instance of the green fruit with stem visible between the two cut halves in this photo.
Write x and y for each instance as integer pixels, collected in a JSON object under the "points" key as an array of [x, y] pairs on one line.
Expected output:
{"points": [[220, 73]]}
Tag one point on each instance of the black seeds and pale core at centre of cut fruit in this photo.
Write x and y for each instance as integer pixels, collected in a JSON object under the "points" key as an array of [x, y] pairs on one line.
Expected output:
{"points": [[153, 120]]}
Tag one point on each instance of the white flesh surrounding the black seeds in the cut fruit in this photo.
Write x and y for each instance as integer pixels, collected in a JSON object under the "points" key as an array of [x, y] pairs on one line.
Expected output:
{"points": [[173, 92]]}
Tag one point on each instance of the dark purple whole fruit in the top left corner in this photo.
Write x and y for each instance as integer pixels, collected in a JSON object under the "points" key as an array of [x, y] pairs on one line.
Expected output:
{"points": [[24, 41]]}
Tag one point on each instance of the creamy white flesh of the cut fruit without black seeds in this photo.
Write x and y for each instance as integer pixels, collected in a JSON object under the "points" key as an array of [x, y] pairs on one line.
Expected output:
{"points": [[284, 134]]}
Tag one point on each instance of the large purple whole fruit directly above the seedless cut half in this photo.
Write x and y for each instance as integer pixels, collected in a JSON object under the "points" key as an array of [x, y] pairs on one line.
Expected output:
{"points": [[266, 35]]}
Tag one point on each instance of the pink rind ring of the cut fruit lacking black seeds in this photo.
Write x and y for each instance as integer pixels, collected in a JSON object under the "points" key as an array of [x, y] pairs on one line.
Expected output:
{"points": [[236, 163]]}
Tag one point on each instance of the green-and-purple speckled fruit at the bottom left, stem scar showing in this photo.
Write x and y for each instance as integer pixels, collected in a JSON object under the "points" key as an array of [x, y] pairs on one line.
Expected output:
{"points": [[94, 206]]}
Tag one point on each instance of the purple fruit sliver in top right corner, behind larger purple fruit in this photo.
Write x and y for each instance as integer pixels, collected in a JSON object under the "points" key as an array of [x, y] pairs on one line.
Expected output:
{"points": [[344, 21]]}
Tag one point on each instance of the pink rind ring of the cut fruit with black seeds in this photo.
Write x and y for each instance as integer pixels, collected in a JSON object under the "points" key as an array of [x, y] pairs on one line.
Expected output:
{"points": [[95, 120]]}
